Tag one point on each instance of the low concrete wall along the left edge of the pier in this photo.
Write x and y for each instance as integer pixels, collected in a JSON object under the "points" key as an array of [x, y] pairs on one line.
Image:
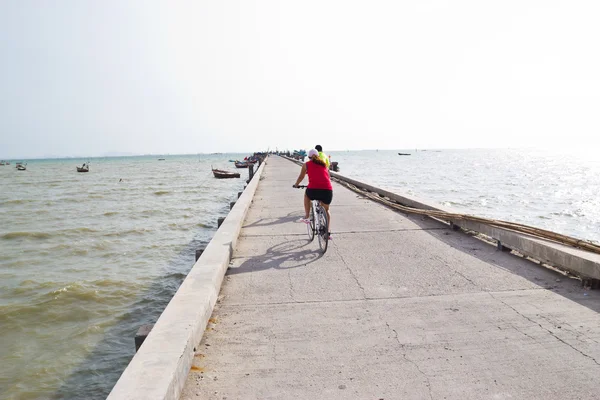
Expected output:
{"points": [[159, 369]]}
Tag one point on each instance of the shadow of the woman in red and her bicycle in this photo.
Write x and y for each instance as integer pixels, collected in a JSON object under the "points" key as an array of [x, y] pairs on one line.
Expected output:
{"points": [[286, 255]]}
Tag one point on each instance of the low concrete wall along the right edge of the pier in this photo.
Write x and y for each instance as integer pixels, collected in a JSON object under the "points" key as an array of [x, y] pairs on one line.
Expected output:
{"points": [[578, 262]]}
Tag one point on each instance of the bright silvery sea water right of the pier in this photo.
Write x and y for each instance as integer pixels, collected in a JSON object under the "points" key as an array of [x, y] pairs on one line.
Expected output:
{"points": [[550, 189]]}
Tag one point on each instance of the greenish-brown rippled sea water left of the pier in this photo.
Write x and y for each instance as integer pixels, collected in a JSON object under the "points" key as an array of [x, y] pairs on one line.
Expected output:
{"points": [[86, 258]]}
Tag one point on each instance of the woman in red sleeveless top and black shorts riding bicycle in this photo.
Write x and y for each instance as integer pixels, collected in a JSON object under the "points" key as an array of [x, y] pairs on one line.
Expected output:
{"points": [[319, 185]]}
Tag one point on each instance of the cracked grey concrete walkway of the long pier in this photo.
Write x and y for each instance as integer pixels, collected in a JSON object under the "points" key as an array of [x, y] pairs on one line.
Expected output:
{"points": [[399, 307]]}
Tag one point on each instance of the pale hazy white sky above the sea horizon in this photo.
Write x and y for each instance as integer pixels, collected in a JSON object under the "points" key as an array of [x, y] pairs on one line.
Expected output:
{"points": [[92, 77]]}
